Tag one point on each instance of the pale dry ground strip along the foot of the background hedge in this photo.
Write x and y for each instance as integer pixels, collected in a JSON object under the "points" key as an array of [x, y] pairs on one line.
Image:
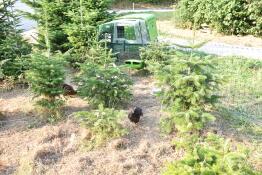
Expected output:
{"points": [[167, 29]]}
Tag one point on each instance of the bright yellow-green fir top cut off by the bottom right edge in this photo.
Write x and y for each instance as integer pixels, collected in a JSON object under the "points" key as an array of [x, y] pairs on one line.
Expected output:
{"points": [[212, 156]]}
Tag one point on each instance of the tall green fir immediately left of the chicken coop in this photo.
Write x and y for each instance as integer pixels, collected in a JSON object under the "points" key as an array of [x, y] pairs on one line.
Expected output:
{"points": [[82, 31]]}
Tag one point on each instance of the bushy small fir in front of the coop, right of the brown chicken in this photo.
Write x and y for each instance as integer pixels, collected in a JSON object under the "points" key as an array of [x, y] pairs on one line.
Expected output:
{"points": [[103, 85]]}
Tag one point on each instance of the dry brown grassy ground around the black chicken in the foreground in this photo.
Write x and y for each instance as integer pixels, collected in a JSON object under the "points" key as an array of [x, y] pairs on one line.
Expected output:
{"points": [[57, 149]]}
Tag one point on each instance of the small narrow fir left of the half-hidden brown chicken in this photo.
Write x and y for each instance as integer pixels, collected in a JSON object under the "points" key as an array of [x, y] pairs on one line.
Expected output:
{"points": [[46, 76]]}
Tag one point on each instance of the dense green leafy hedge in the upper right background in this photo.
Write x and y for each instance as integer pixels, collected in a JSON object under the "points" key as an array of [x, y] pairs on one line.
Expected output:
{"points": [[225, 16]]}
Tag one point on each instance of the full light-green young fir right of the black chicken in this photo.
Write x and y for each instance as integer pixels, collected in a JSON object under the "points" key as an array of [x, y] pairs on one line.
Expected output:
{"points": [[189, 85]]}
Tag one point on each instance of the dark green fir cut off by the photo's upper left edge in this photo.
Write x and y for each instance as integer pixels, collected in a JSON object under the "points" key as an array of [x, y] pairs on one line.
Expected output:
{"points": [[13, 48]]}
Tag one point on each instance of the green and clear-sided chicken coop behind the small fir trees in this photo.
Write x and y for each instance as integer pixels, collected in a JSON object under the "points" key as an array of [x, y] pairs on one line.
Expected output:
{"points": [[128, 33]]}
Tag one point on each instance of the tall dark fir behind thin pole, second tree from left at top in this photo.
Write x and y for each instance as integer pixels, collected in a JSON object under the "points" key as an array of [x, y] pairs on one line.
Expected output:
{"points": [[52, 13]]}
